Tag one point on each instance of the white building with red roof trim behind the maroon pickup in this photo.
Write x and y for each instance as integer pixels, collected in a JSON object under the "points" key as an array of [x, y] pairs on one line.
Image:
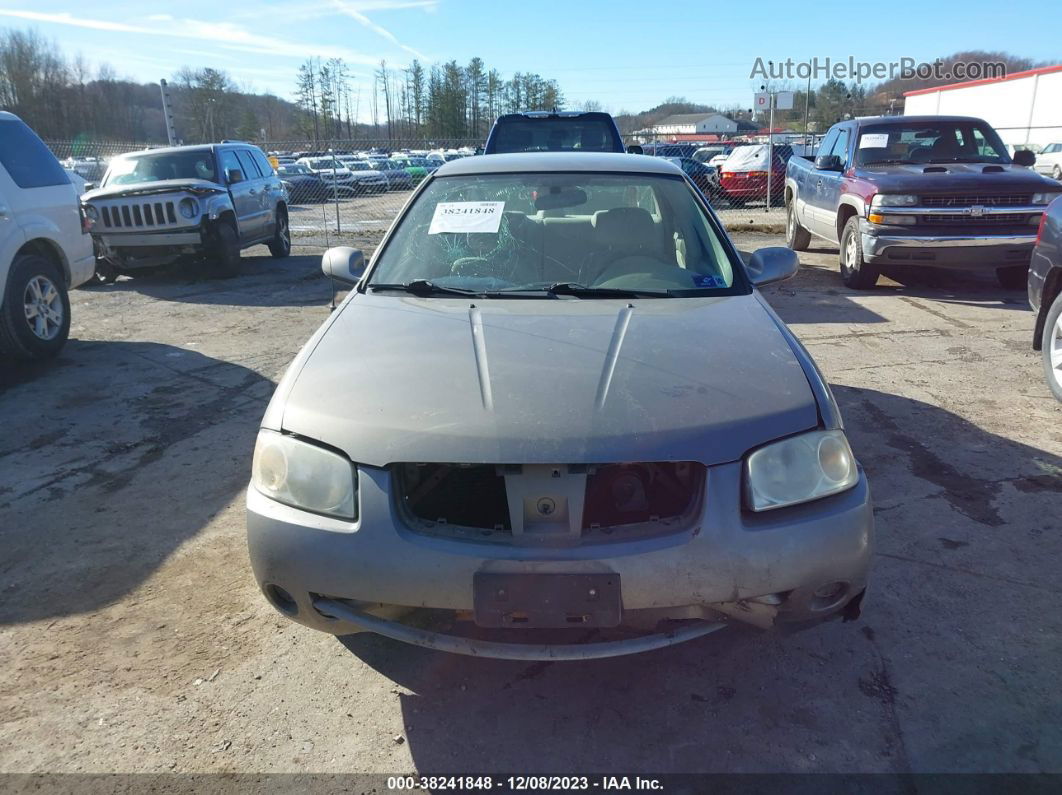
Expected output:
{"points": [[1024, 108]]}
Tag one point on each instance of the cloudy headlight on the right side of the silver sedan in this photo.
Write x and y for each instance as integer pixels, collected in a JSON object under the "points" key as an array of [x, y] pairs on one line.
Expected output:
{"points": [[799, 470]]}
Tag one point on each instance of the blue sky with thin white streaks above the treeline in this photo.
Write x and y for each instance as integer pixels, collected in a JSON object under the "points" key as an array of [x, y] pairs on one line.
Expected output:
{"points": [[627, 56]]}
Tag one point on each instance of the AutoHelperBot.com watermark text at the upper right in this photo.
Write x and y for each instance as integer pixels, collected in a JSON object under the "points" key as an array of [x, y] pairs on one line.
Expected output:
{"points": [[852, 70]]}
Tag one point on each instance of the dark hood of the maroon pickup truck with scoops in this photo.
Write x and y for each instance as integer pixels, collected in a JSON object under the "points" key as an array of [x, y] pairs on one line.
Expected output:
{"points": [[957, 178]]}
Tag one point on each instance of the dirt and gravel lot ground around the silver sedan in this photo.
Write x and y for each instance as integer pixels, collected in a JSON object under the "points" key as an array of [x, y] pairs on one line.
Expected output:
{"points": [[133, 637]]}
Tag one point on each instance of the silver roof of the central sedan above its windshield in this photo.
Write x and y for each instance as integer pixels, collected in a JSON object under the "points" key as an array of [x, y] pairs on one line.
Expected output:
{"points": [[601, 162]]}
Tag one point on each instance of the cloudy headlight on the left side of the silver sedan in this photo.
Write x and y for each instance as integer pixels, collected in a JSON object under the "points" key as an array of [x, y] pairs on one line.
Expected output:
{"points": [[304, 476]]}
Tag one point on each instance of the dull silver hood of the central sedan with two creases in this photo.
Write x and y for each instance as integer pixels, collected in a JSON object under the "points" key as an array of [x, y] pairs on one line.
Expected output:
{"points": [[440, 381]]}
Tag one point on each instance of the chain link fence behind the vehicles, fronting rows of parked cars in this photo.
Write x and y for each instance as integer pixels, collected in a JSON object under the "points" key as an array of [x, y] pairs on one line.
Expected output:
{"points": [[356, 188]]}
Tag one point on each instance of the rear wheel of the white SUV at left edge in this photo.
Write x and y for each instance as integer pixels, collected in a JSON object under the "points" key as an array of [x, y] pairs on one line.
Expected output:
{"points": [[36, 314]]}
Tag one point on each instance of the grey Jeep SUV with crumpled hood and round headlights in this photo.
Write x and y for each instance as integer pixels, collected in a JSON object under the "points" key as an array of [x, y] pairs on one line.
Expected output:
{"points": [[186, 203]]}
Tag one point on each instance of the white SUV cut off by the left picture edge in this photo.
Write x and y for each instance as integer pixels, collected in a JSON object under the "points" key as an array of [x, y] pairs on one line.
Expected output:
{"points": [[45, 247]]}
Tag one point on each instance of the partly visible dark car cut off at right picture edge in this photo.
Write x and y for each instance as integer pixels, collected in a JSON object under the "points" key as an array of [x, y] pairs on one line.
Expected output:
{"points": [[1046, 295]]}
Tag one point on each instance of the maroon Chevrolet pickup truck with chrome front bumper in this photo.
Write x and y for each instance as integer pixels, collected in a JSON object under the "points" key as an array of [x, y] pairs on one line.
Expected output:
{"points": [[932, 192]]}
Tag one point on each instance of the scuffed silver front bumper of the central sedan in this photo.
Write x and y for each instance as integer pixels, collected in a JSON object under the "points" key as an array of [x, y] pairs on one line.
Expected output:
{"points": [[784, 568]]}
